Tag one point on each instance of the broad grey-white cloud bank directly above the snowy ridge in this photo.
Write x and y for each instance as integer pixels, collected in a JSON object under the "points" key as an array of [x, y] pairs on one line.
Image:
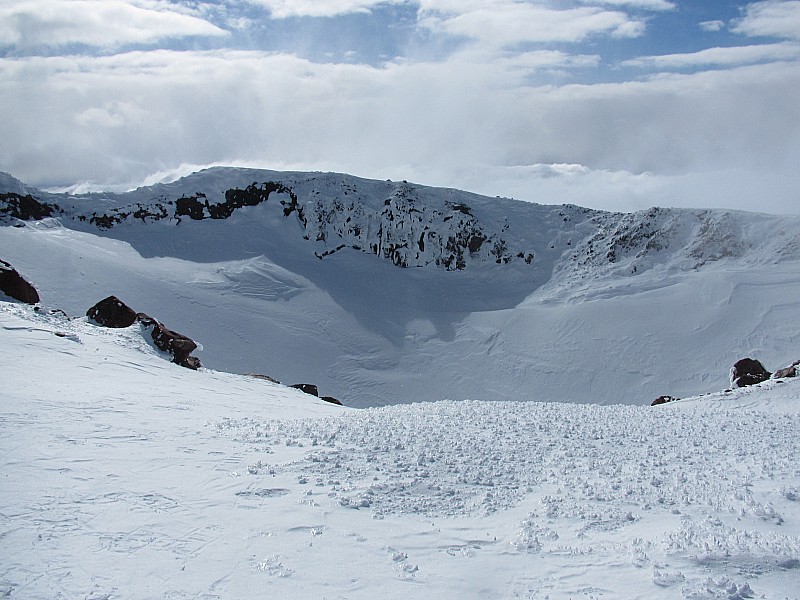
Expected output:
{"points": [[122, 117]]}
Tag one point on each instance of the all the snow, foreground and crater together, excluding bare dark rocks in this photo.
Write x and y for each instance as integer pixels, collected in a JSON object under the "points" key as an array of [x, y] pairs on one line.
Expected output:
{"points": [[496, 441]]}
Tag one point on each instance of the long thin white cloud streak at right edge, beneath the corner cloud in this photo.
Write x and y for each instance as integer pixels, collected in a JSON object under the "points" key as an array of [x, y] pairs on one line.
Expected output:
{"points": [[737, 55]]}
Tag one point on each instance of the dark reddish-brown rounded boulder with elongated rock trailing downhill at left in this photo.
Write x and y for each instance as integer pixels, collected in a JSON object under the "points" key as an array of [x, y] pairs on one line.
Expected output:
{"points": [[113, 312]]}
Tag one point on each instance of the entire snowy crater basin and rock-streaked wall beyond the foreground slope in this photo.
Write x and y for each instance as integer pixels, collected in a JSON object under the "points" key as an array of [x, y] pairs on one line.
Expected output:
{"points": [[387, 292]]}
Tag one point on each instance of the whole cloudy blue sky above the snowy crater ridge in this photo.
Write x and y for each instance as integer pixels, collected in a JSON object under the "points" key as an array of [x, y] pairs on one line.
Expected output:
{"points": [[616, 104]]}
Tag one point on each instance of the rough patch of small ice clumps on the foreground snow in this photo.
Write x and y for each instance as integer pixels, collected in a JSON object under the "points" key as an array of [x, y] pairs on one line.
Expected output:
{"points": [[475, 458]]}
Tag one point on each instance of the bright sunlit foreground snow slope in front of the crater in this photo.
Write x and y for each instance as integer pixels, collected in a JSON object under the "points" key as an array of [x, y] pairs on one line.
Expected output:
{"points": [[126, 476]]}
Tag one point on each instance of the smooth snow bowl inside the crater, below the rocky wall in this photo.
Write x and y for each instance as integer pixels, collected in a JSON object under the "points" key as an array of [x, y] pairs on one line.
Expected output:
{"points": [[371, 334]]}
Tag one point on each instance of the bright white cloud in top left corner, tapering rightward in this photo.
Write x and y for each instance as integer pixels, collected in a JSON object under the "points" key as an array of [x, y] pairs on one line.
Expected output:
{"points": [[27, 24]]}
